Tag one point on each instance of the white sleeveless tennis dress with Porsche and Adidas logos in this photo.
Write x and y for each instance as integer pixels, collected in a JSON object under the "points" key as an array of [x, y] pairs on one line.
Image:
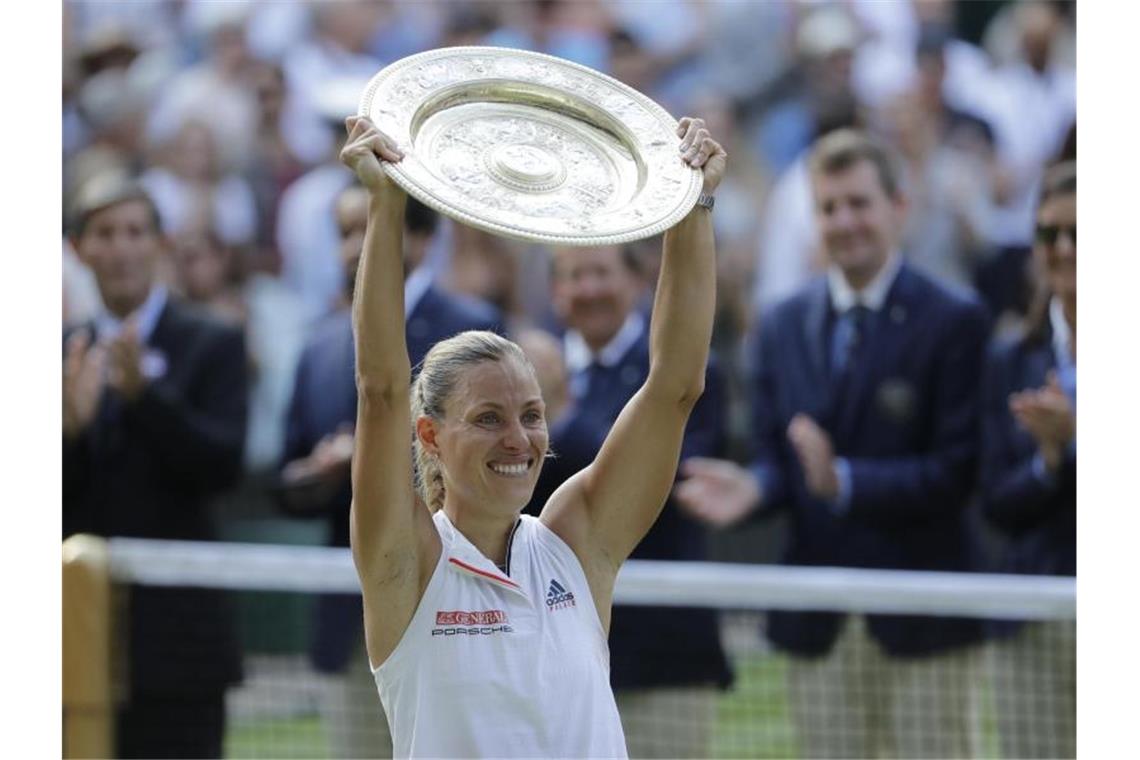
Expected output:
{"points": [[498, 666]]}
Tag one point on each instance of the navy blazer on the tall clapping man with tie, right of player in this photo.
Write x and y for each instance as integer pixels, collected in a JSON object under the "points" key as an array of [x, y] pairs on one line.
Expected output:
{"points": [[908, 424]]}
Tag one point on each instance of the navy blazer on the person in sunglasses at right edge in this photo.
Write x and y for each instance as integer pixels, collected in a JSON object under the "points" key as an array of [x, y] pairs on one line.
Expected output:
{"points": [[1039, 520]]}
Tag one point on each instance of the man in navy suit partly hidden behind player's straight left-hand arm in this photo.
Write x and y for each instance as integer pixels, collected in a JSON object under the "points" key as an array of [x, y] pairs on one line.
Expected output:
{"points": [[319, 452]]}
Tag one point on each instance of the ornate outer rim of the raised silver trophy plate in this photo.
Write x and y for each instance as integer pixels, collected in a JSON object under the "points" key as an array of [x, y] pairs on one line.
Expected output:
{"points": [[424, 193]]}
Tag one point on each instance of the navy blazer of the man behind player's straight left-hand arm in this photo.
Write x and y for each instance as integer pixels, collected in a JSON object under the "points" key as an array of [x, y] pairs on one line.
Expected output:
{"points": [[324, 399]]}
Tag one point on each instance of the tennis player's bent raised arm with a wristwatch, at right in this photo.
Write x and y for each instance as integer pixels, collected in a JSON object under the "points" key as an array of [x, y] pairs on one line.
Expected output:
{"points": [[607, 509]]}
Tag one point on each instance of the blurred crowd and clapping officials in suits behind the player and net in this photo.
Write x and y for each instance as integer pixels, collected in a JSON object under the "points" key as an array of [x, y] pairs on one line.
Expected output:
{"points": [[210, 238]]}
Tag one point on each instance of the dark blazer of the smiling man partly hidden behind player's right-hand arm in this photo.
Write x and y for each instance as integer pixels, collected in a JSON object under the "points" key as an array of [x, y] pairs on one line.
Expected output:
{"points": [[649, 647]]}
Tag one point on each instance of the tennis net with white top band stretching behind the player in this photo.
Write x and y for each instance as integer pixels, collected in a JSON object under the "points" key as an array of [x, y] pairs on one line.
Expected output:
{"points": [[1011, 696]]}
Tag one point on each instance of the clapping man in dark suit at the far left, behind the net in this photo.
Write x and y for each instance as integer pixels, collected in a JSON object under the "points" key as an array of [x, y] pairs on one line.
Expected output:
{"points": [[154, 426]]}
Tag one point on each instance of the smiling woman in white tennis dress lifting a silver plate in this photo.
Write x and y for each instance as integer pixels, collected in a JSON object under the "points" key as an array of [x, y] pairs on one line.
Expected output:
{"points": [[487, 631]]}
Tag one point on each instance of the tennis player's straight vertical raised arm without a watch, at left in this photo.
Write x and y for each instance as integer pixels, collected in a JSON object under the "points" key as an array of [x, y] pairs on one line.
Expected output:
{"points": [[392, 533]]}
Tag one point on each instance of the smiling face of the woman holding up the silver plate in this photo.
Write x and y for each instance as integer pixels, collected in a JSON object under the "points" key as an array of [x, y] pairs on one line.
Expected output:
{"points": [[493, 439]]}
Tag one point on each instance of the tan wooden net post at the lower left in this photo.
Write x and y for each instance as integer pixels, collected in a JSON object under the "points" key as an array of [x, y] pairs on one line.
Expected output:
{"points": [[87, 696]]}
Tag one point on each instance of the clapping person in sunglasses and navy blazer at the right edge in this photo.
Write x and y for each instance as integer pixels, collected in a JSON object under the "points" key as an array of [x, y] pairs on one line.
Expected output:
{"points": [[1029, 484]]}
